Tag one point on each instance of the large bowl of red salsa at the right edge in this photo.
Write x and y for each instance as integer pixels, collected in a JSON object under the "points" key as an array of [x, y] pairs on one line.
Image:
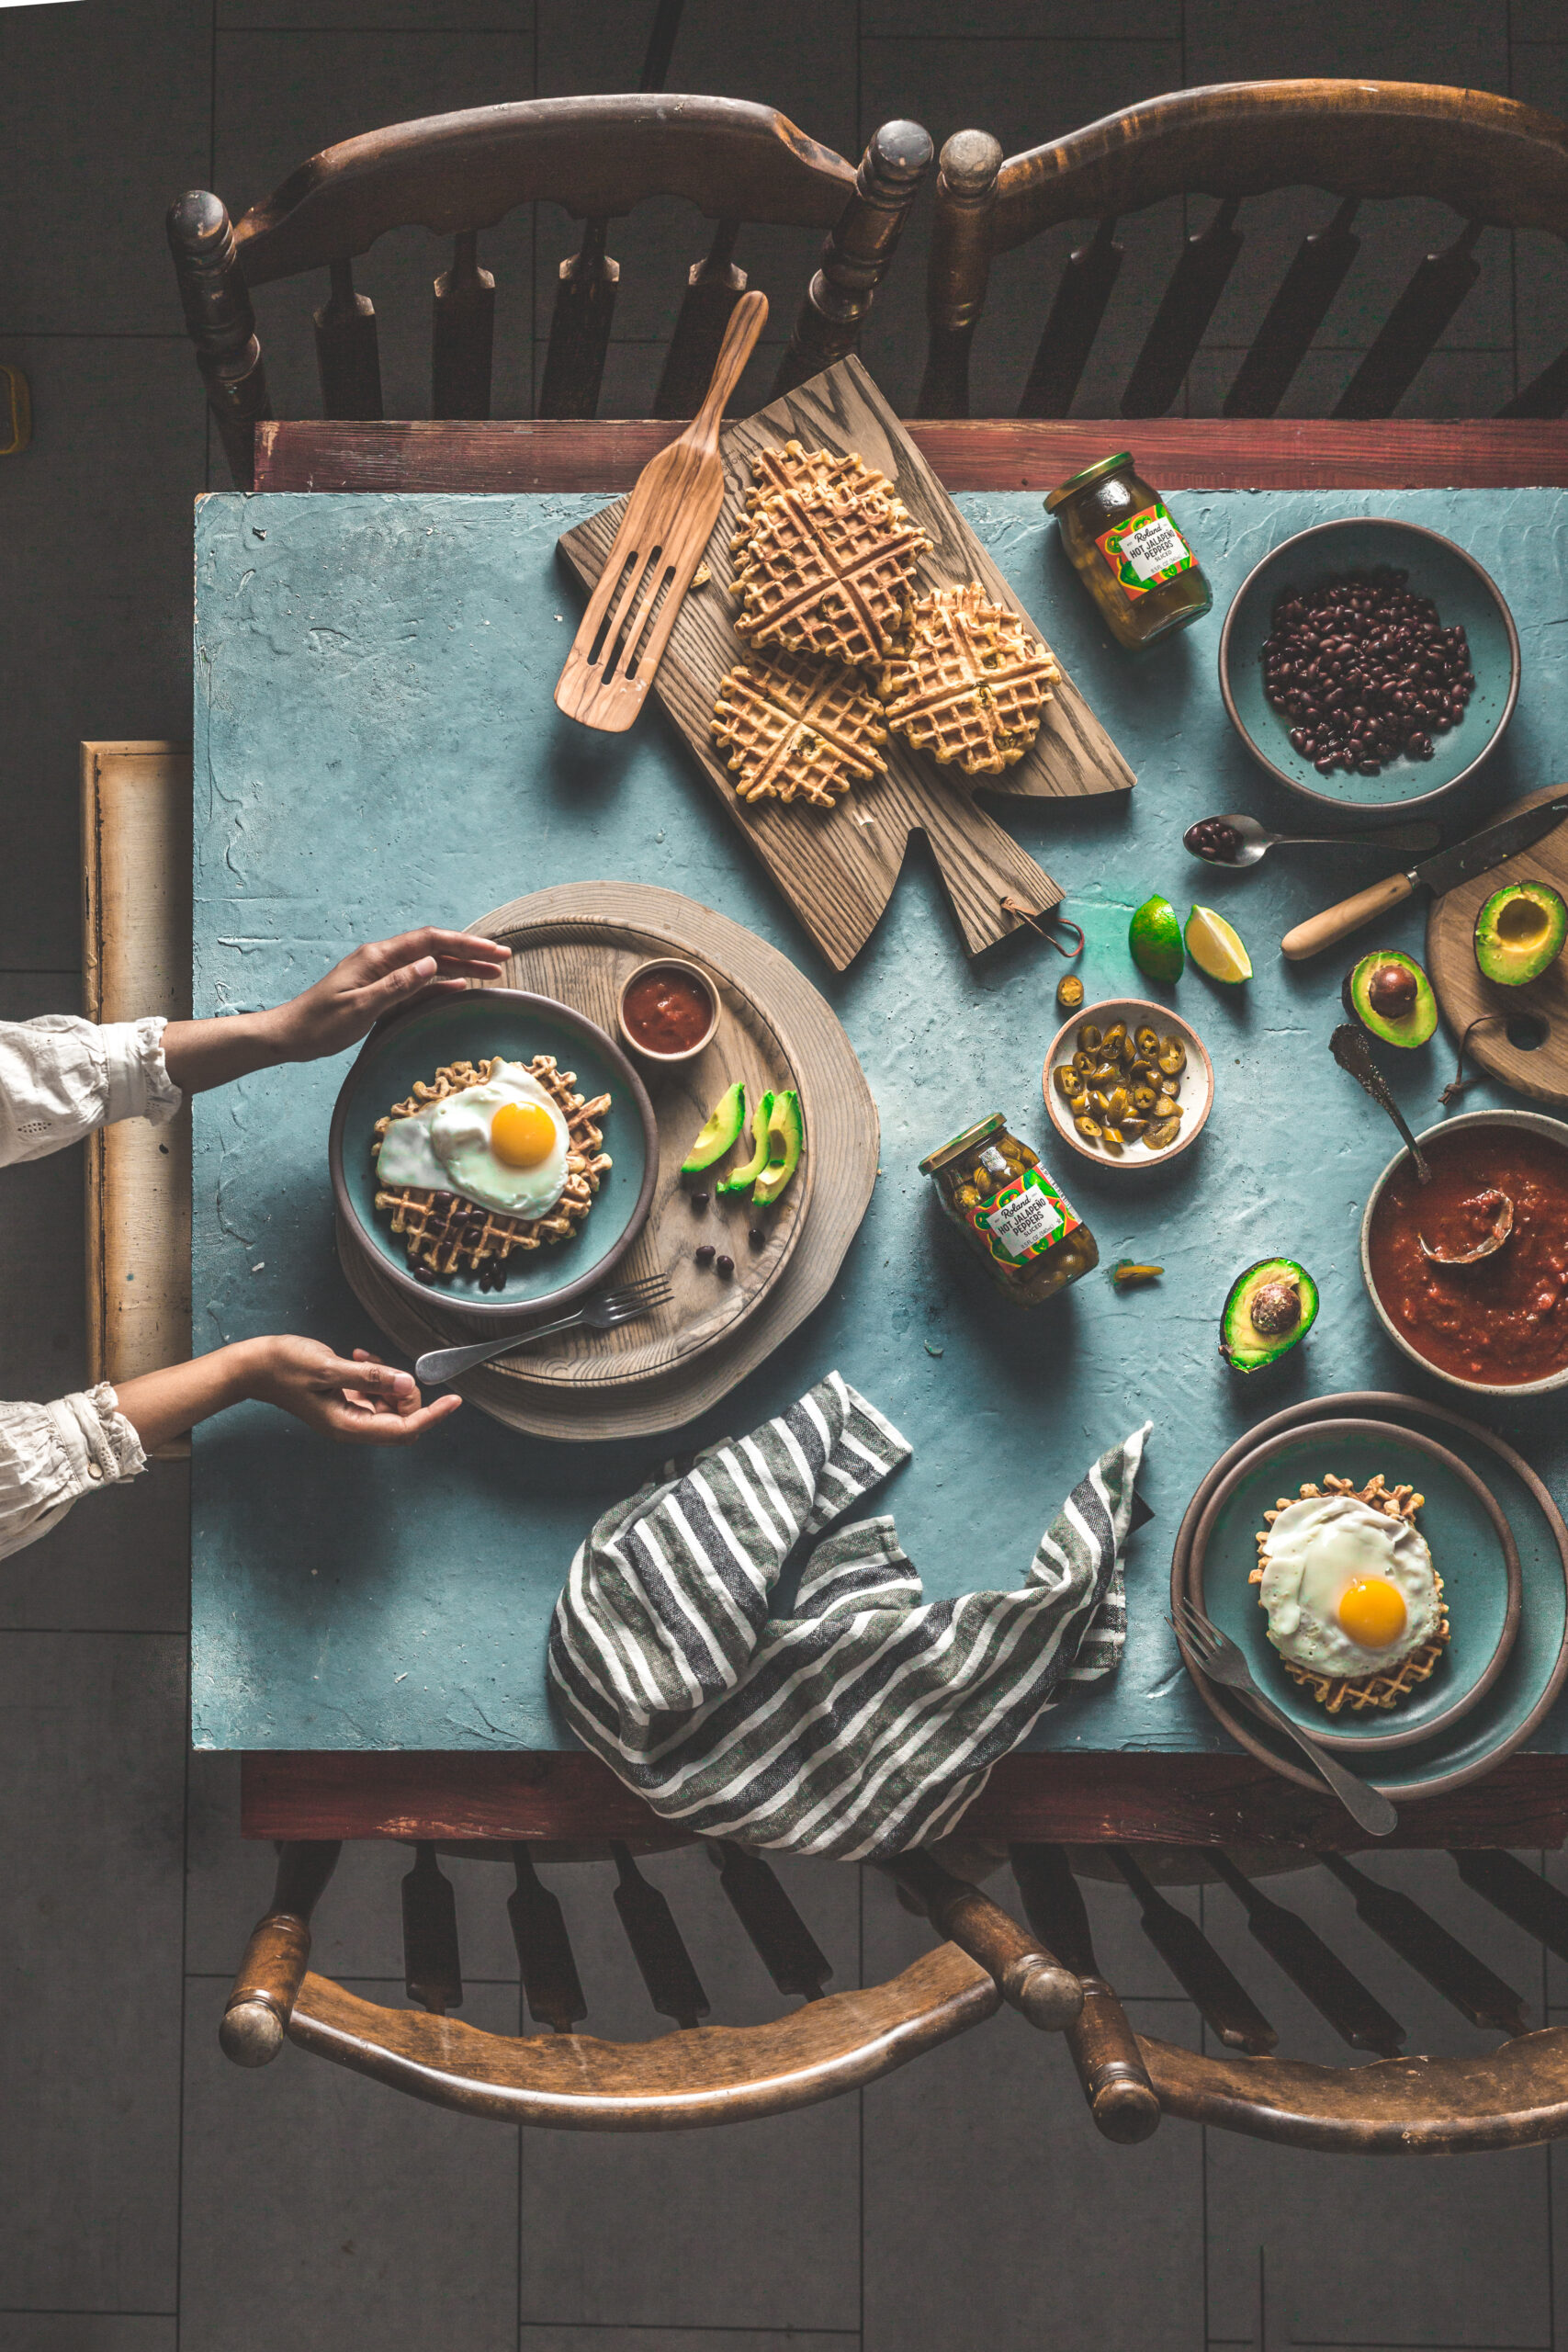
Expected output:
{"points": [[1496, 1328]]}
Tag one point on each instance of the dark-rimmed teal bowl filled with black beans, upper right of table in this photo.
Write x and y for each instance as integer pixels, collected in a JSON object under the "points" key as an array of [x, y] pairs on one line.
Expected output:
{"points": [[1369, 664]]}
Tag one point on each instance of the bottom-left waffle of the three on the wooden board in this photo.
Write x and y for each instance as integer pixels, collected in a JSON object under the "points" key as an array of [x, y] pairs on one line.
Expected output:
{"points": [[796, 728]]}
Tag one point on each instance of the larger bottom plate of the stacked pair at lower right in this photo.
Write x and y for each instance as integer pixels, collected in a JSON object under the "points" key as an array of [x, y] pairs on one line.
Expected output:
{"points": [[1536, 1666]]}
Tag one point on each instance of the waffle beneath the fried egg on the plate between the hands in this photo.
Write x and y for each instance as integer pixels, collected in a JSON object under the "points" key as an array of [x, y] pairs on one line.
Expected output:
{"points": [[450, 1234]]}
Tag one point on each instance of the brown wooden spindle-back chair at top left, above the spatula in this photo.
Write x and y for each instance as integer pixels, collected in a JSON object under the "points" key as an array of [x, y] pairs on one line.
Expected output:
{"points": [[462, 175]]}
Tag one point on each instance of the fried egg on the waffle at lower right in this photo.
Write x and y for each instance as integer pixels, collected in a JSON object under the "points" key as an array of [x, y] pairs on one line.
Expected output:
{"points": [[1346, 1589]]}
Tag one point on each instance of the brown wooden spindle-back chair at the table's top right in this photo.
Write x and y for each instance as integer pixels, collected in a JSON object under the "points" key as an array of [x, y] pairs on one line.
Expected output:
{"points": [[1492, 161]]}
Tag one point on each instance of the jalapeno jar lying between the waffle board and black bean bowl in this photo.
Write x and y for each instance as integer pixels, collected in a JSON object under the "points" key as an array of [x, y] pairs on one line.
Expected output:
{"points": [[1130, 554]]}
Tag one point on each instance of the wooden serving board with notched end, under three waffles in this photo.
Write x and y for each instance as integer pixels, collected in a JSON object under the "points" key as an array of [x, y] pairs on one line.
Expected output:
{"points": [[838, 869]]}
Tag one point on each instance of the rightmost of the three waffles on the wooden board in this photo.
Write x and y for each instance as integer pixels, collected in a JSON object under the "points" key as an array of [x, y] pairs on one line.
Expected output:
{"points": [[967, 683]]}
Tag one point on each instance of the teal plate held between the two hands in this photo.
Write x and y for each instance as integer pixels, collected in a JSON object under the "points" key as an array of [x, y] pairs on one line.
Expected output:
{"points": [[518, 1027]]}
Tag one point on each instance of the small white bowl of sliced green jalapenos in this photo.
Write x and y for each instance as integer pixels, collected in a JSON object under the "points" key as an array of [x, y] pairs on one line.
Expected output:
{"points": [[1127, 1083]]}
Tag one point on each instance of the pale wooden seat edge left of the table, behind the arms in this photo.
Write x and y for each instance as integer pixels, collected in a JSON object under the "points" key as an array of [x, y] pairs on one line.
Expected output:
{"points": [[135, 963]]}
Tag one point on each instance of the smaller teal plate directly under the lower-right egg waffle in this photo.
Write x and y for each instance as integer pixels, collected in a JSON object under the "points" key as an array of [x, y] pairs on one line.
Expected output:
{"points": [[1468, 1535]]}
